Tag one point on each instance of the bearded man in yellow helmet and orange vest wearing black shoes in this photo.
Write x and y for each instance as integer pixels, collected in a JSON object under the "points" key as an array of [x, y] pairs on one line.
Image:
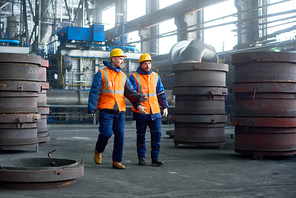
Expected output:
{"points": [[148, 113]]}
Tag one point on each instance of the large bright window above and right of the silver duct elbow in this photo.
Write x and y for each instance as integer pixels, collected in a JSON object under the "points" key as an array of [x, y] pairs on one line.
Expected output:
{"points": [[218, 33]]}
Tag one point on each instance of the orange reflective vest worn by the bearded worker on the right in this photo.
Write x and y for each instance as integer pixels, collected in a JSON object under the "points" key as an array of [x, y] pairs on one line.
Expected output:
{"points": [[147, 86]]}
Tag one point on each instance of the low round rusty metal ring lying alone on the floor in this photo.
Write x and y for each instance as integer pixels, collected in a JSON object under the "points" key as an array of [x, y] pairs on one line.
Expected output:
{"points": [[39, 170]]}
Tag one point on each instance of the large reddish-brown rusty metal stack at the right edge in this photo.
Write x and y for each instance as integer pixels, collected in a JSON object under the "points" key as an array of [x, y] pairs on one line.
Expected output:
{"points": [[265, 106]]}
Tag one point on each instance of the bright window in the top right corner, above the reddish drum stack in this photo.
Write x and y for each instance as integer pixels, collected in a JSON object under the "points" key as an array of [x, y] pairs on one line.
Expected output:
{"points": [[283, 23]]}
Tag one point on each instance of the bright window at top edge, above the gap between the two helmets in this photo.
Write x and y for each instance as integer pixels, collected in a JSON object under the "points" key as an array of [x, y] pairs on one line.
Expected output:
{"points": [[135, 9]]}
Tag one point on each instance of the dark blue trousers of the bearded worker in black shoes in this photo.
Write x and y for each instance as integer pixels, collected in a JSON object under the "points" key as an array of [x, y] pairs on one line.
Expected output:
{"points": [[155, 132]]}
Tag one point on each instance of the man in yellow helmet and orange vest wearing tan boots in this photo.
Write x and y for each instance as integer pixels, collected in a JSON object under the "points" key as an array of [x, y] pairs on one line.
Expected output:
{"points": [[110, 86]]}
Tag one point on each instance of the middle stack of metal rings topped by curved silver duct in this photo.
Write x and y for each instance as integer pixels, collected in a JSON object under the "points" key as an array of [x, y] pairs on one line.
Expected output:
{"points": [[200, 89]]}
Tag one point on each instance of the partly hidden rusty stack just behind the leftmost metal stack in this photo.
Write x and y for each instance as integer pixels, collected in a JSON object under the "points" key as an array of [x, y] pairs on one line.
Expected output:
{"points": [[43, 109]]}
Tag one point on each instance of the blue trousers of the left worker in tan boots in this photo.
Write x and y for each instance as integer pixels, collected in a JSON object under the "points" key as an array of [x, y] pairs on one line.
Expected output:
{"points": [[111, 123]]}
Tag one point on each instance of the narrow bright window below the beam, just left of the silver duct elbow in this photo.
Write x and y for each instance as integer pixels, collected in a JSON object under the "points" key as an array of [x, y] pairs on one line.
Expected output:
{"points": [[166, 43]]}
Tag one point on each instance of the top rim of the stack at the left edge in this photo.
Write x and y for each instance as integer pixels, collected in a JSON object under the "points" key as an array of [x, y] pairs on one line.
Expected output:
{"points": [[20, 58]]}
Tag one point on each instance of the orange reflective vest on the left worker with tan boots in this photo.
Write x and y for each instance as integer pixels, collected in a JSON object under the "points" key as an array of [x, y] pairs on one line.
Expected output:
{"points": [[113, 89]]}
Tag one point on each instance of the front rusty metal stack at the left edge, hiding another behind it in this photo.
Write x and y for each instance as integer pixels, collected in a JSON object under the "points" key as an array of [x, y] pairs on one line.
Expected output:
{"points": [[18, 100]]}
